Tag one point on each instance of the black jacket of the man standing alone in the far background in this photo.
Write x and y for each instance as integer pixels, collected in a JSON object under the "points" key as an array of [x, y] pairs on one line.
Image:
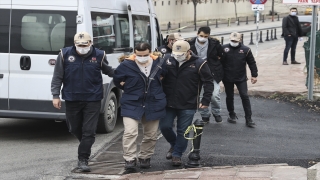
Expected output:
{"points": [[291, 26]]}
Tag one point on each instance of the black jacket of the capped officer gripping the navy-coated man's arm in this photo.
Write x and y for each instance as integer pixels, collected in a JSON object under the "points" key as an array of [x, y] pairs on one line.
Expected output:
{"points": [[182, 84]]}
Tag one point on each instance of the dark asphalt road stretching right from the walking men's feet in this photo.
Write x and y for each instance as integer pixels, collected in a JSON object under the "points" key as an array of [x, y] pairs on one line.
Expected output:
{"points": [[285, 133]]}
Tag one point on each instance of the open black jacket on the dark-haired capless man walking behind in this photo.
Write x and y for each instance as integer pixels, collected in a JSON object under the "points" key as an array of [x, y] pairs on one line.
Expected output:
{"points": [[213, 57]]}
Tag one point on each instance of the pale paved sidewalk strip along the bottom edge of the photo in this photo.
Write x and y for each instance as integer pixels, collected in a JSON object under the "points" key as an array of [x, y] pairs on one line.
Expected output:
{"points": [[258, 172]]}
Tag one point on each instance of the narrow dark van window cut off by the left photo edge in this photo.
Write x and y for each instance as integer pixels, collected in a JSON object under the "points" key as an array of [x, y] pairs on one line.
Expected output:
{"points": [[4, 30]]}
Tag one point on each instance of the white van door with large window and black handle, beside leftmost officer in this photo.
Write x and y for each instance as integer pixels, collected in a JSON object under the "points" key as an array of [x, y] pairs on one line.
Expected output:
{"points": [[38, 31]]}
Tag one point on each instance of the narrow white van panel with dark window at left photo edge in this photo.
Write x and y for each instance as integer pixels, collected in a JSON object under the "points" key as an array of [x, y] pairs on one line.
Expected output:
{"points": [[5, 6]]}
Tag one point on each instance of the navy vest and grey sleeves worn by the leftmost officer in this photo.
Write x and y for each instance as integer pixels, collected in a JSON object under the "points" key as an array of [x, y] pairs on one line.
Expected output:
{"points": [[80, 75]]}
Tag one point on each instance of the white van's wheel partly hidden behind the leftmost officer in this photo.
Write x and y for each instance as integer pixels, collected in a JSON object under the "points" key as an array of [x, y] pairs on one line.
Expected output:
{"points": [[108, 119]]}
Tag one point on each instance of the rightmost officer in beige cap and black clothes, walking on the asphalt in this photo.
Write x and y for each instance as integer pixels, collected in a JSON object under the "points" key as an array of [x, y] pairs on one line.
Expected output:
{"points": [[234, 60]]}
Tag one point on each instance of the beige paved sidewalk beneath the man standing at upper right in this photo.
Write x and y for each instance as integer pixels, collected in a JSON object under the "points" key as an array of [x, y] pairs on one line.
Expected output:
{"points": [[273, 77]]}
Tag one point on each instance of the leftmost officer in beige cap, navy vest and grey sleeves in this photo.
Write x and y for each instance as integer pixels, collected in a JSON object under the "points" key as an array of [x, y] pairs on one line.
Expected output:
{"points": [[78, 69]]}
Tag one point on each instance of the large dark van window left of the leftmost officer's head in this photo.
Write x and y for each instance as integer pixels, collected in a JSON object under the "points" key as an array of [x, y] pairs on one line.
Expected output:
{"points": [[41, 32]]}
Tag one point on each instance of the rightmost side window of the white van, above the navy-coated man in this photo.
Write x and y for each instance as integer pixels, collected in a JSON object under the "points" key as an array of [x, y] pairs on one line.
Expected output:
{"points": [[141, 29]]}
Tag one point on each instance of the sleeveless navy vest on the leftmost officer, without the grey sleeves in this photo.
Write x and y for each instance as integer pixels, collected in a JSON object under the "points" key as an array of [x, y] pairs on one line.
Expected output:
{"points": [[82, 80]]}
